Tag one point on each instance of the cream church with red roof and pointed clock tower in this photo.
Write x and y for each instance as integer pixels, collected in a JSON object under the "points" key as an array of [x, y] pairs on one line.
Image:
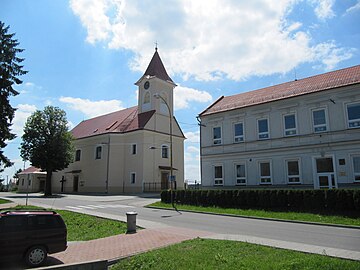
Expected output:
{"points": [[135, 150]]}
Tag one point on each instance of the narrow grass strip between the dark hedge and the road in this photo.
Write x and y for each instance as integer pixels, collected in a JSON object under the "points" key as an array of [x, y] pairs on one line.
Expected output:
{"points": [[320, 218]]}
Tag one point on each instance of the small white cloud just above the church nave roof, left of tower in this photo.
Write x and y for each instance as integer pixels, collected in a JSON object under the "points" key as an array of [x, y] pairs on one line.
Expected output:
{"points": [[92, 108]]}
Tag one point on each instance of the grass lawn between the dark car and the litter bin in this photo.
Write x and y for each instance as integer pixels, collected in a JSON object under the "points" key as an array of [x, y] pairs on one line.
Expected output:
{"points": [[83, 227]]}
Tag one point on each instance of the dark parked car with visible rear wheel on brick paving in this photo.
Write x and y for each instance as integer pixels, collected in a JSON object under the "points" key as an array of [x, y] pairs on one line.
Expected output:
{"points": [[31, 235]]}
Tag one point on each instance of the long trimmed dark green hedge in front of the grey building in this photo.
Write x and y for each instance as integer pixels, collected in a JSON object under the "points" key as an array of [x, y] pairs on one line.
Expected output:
{"points": [[308, 200]]}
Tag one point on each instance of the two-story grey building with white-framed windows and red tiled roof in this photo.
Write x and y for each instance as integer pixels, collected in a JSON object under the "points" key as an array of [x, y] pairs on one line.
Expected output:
{"points": [[303, 133]]}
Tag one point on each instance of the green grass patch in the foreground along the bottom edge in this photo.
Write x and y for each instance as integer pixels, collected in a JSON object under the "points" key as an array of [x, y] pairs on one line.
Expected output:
{"points": [[221, 254]]}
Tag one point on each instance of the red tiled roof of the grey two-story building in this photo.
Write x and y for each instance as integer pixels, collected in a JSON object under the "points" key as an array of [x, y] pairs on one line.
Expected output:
{"points": [[326, 81]]}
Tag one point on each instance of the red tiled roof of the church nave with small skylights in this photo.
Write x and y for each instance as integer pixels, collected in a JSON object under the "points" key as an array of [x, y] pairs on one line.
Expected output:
{"points": [[117, 122]]}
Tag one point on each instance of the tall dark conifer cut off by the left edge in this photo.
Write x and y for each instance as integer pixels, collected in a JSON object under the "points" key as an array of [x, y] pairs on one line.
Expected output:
{"points": [[10, 69]]}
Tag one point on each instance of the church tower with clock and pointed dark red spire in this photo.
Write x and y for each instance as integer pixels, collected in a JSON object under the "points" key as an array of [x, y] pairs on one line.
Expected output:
{"points": [[154, 82]]}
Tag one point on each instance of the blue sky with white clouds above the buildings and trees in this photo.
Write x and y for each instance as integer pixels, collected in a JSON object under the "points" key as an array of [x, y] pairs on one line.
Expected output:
{"points": [[84, 56]]}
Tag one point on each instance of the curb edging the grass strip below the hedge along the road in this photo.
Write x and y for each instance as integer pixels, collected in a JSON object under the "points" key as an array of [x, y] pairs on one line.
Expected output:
{"points": [[264, 218]]}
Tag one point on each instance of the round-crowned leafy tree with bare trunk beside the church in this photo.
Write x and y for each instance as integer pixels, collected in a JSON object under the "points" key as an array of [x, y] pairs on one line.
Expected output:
{"points": [[47, 142]]}
